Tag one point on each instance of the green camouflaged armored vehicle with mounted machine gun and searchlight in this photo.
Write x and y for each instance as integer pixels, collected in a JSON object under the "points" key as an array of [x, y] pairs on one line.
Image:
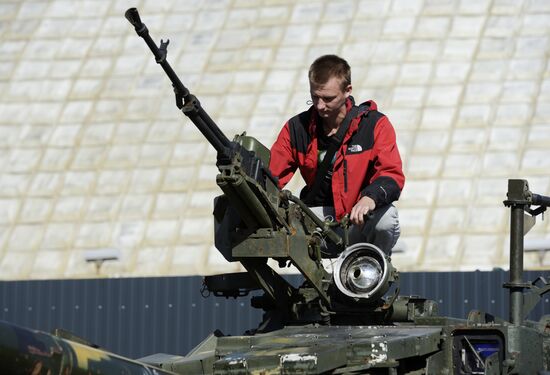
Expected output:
{"points": [[347, 320]]}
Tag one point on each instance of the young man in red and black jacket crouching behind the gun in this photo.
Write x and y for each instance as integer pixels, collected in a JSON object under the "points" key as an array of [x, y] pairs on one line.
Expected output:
{"points": [[365, 174]]}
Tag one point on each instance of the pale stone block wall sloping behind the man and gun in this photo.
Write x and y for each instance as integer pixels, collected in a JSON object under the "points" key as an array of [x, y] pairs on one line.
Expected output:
{"points": [[94, 153]]}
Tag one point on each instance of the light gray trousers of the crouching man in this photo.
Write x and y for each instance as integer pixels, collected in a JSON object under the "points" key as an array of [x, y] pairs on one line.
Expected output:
{"points": [[381, 229]]}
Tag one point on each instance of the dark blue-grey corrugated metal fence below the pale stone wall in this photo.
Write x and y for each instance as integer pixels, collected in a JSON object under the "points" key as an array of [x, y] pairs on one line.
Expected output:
{"points": [[141, 316]]}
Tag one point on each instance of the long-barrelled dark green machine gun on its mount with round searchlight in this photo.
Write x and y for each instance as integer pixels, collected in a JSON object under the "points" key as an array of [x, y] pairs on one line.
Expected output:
{"points": [[255, 221]]}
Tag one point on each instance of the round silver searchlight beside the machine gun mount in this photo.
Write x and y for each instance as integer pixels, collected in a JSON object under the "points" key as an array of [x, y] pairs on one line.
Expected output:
{"points": [[363, 271]]}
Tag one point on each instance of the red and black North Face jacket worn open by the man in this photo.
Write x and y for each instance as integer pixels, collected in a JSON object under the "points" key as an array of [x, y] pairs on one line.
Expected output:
{"points": [[367, 164]]}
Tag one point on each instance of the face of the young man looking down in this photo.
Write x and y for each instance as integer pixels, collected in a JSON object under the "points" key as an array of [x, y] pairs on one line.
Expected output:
{"points": [[329, 99]]}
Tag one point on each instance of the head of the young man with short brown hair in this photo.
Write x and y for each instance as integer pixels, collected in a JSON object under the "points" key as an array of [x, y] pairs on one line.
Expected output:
{"points": [[330, 86]]}
